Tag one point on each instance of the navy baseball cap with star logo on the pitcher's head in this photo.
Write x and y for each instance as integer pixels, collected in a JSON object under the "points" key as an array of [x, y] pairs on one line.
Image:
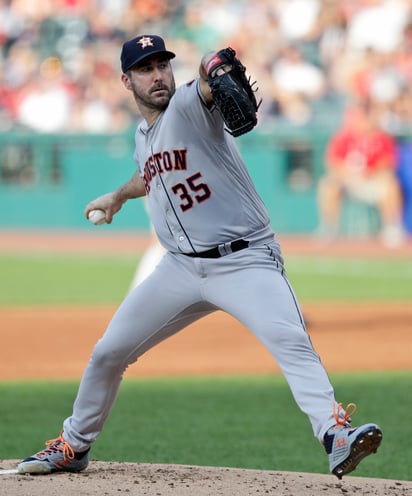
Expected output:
{"points": [[137, 49]]}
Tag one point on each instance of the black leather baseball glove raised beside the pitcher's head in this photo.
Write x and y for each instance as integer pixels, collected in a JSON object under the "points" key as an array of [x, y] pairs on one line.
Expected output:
{"points": [[232, 92]]}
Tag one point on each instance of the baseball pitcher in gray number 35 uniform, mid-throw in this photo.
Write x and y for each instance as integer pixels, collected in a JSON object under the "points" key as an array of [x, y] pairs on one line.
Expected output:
{"points": [[221, 254]]}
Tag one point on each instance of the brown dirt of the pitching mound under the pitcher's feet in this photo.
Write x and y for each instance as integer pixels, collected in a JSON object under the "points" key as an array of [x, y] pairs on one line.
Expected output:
{"points": [[109, 478]]}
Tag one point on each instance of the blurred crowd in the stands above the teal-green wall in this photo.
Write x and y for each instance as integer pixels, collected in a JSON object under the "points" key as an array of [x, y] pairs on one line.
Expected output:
{"points": [[60, 71]]}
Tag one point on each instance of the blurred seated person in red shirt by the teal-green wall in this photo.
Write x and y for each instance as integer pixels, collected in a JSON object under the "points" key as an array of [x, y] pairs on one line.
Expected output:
{"points": [[361, 162]]}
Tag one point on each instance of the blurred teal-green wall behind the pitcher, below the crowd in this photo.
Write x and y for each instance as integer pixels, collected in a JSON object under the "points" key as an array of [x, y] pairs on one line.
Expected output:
{"points": [[46, 180]]}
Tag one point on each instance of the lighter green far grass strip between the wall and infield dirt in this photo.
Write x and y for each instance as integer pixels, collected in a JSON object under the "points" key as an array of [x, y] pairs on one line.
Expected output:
{"points": [[39, 279]]}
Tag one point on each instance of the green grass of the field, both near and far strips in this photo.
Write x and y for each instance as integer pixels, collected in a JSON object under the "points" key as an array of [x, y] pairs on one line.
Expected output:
{"points": [[248, 422]]}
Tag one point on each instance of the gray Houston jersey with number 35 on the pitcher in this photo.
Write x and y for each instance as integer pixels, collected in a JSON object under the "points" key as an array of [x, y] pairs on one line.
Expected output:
{"points": [[199, 191]]}
